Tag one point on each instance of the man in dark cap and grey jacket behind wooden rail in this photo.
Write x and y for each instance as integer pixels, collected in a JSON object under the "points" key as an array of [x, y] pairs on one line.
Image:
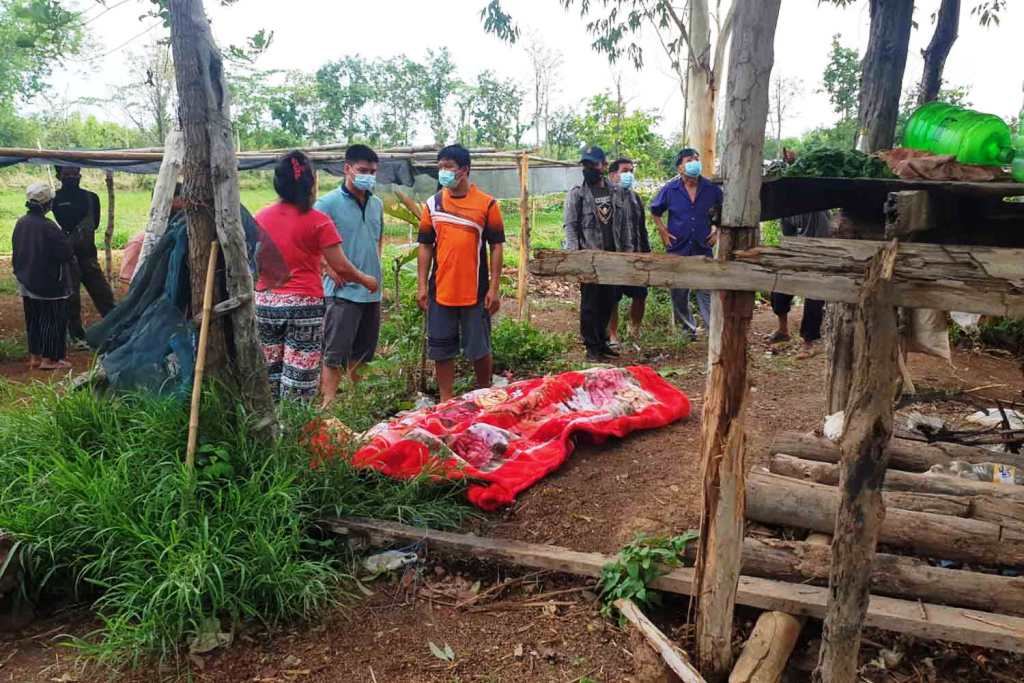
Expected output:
{"points": [[599, 217]]}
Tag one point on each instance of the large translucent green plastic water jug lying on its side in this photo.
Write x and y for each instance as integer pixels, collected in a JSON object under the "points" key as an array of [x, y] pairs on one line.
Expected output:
{"points": [[971, 137]]}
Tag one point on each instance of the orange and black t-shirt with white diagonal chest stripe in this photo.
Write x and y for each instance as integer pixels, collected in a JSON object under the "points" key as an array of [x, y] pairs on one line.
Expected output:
{"points": [[460, 229]]}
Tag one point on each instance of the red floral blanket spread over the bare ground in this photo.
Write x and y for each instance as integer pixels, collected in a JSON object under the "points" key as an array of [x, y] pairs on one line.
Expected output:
{"points": [[507, 439]]}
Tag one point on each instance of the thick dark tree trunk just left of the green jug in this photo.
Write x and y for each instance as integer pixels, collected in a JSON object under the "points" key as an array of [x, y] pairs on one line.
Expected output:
{"points": [[882, 73]]}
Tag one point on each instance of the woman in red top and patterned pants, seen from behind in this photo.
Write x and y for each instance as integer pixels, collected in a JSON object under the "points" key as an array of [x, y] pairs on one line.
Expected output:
{"points": [[290, 317]]}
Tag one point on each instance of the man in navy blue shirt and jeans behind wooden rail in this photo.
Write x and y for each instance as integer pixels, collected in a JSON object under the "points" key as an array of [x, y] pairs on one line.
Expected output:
{"points": [[694, 204]]}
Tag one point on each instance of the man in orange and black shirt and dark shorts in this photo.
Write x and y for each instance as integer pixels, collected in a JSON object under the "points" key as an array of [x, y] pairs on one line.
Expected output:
{"points": [[459, 284]]}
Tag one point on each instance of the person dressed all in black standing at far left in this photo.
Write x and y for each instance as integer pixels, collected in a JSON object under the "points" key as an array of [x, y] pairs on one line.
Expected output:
{"points": [[77, 211]]}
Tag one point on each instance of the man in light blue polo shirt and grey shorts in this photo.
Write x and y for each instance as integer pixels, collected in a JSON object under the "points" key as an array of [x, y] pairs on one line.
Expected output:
{"points": [[353, 319]]}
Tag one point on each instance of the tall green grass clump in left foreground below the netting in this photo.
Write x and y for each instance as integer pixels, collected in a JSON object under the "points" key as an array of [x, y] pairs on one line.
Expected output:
{"points": [[98, 489]]}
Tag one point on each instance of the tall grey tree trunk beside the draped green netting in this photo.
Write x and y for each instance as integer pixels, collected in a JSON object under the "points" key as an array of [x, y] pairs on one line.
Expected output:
{"points": [[212, 206]]}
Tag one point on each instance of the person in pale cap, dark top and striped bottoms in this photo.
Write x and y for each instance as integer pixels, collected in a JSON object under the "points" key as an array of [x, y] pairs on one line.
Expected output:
{"points": [[41, 258]]}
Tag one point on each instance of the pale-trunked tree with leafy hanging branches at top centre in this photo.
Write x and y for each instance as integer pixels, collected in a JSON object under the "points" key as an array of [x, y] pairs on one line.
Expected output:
{"points": [[618, 33]]}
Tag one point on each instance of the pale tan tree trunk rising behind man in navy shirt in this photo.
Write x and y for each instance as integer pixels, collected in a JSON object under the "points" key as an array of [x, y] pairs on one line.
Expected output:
{"points": [[703, 88]]}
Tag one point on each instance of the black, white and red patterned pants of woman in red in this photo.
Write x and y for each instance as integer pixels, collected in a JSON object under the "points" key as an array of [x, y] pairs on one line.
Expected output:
{"points": [[291, 331]]}
